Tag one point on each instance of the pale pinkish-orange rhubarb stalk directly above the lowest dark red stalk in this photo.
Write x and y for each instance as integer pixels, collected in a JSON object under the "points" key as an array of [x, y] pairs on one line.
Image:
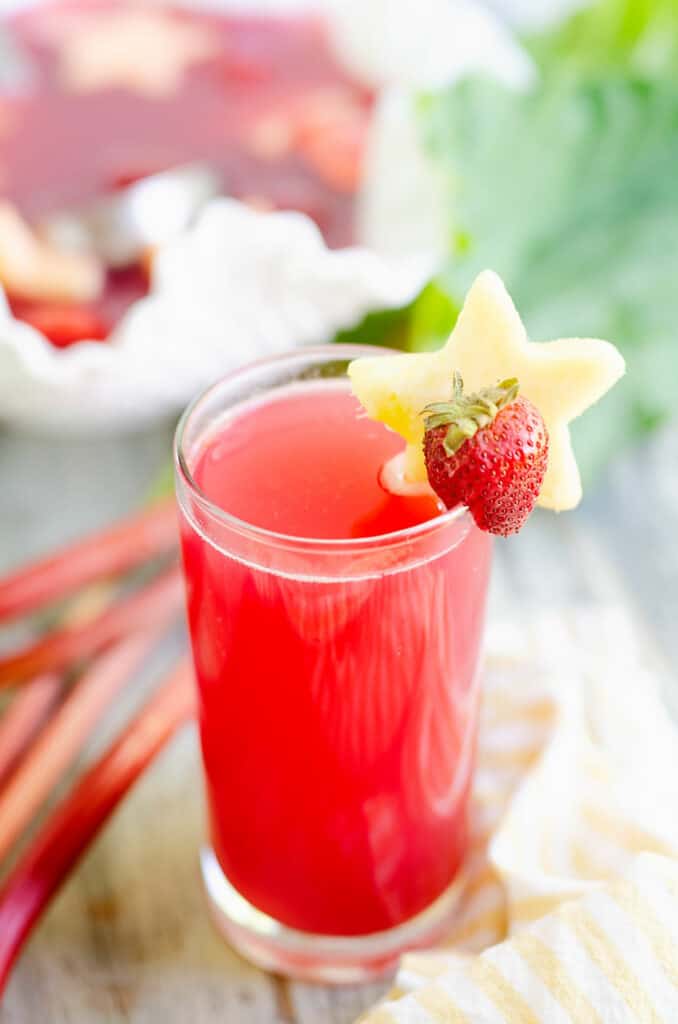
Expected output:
{"points": [[64, 738]]}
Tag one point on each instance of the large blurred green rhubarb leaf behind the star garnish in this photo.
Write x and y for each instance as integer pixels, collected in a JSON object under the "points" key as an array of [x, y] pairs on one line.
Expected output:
{"points": [[571, 194]]}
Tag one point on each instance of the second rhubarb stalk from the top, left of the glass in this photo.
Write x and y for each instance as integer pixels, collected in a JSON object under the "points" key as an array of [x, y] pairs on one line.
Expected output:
{"points": [[141, 611]]}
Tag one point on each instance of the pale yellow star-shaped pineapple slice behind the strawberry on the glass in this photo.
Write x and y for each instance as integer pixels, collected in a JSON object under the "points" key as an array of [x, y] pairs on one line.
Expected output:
{"points": [[489, 344]]}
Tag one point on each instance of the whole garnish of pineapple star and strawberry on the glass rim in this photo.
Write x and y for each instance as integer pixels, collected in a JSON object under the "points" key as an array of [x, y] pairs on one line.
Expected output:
{"points": [[487, 417]]}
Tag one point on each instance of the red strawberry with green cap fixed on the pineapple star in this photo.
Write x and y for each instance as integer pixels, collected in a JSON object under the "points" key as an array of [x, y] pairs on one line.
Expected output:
{"points": [[489, 452]]}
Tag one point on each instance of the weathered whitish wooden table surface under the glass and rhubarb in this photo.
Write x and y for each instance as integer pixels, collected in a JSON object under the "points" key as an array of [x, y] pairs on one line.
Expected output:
{"points": [[128, 941]]}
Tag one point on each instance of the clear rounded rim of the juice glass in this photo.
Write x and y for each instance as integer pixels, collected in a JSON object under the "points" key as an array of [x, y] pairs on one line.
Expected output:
{"points": [[350, 352]]}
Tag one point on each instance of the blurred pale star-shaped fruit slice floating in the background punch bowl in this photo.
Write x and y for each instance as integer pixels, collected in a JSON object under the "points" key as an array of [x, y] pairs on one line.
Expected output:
{"points": [[146, 53]]}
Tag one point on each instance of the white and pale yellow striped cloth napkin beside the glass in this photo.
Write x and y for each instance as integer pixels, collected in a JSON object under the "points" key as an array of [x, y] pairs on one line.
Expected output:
{"points": [[569, 907]]}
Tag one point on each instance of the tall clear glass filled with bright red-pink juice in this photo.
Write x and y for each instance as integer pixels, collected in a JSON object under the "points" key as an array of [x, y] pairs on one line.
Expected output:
{"points": [[336, 631]]}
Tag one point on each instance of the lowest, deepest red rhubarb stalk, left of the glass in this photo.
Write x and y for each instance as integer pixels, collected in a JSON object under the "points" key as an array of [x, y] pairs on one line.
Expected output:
{"points": [[66, 836]]}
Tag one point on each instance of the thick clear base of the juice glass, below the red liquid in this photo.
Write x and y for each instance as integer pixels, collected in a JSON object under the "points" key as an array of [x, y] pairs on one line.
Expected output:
{"points": [[331, 960]]}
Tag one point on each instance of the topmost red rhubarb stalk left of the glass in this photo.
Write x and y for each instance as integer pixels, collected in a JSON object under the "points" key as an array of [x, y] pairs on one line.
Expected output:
{"points": [[109, 553]]}
